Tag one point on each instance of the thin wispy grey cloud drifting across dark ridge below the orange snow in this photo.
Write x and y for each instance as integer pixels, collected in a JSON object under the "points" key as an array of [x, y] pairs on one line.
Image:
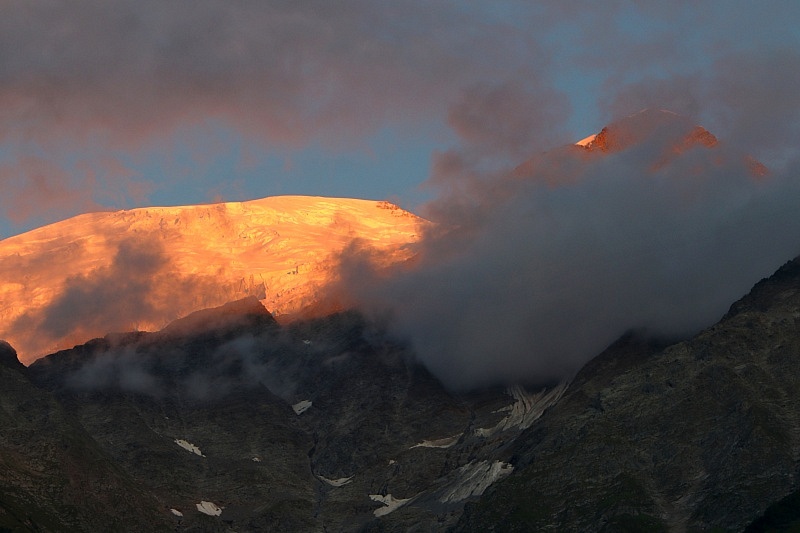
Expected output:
{"points": [[227, 361]]}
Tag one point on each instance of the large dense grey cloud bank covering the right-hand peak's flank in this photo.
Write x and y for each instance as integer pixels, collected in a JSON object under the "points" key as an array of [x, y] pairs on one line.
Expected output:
{"points": [[527, 276]]}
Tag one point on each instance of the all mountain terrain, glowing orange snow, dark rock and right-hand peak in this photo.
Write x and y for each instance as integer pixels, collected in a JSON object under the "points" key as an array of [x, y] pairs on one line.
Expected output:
{"points": [[183, 375]]}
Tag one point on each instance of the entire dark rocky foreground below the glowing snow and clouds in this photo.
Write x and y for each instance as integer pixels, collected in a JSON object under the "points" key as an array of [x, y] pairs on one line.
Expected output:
{"points": [[226, 421]]}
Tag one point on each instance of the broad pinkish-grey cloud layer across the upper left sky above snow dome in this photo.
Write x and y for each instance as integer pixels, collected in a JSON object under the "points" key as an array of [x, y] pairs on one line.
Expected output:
{"points": [[105, 82]]}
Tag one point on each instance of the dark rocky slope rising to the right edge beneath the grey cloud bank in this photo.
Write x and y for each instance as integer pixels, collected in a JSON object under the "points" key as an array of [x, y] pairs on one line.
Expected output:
{"points": [[700, 435]]}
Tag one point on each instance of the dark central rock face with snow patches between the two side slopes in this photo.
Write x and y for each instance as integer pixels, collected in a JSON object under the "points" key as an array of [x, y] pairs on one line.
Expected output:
{"points": [[322, 424]]}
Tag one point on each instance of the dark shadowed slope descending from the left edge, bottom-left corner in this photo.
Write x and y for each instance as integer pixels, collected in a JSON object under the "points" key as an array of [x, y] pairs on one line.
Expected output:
{"points": [[54, 475]]}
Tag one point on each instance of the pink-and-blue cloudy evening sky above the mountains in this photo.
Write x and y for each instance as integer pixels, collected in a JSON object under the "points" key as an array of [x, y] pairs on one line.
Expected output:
{"points": [[122, 104]]}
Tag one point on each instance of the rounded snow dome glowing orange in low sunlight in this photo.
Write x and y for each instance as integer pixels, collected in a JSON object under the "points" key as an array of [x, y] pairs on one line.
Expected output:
{"points": [[139, 269]]}
